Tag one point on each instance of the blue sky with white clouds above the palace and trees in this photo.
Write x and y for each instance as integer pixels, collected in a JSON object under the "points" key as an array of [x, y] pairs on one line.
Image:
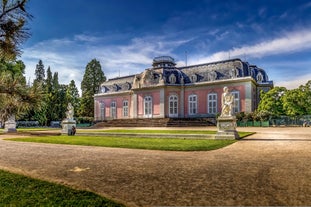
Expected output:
{"points": [[125, 35]]}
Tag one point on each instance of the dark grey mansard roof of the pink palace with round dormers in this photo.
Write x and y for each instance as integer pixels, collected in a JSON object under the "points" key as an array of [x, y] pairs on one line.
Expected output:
{"points": [[168, 74]]}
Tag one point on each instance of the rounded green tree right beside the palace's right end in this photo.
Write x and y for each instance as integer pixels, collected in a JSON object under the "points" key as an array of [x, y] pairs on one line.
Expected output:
{"points": [[272, 101]]}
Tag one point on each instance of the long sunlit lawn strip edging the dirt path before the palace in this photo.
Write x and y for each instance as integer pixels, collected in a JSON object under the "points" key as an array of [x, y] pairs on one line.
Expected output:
{"points": [[134, 143]]}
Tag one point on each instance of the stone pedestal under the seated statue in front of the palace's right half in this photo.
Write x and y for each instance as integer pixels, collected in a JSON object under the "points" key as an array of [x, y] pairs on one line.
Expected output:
{"points": [[226, 128]]}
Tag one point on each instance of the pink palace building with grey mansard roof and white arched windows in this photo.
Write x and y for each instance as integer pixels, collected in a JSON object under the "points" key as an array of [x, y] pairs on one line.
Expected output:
{"points": [[167, 91]]}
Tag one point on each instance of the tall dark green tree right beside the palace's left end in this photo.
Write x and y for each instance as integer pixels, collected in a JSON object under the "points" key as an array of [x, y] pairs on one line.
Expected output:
{"points": [[90, 85]]}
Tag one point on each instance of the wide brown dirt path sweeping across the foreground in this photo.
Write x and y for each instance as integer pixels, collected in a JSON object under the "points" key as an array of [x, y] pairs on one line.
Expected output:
{"points": [[272, 167]]}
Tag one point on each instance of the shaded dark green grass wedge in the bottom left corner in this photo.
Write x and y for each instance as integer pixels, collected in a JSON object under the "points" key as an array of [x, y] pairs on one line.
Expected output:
{"points": [[18, 190]]}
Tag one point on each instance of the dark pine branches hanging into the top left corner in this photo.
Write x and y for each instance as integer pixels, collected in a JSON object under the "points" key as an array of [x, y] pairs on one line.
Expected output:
{"points": [[13, 18]]}
